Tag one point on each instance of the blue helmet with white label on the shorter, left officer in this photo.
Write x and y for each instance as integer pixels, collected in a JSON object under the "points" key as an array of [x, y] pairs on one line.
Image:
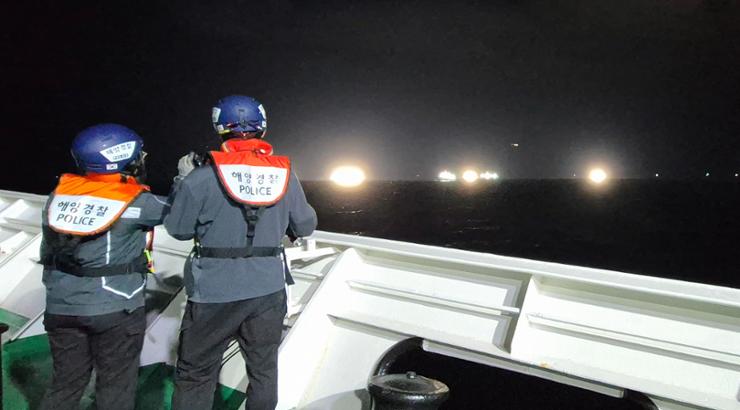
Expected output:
{"points": [[106, 148]]}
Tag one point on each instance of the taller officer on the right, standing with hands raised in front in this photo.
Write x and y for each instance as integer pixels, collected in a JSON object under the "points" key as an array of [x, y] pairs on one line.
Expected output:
{"points": [[237, 210]]}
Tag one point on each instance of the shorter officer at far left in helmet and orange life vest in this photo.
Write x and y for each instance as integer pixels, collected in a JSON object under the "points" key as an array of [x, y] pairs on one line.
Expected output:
{"points": [[93, 250]]}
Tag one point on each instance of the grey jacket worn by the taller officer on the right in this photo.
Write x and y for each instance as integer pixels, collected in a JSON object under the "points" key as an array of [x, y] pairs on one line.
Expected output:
{"points": [[202, 210]]}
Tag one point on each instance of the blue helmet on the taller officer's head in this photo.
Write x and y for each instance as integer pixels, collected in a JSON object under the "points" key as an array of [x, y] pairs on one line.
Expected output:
{"points": [[239, 114]]}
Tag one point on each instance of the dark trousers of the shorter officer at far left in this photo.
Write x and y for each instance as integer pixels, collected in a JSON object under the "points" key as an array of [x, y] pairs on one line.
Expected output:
{"points": [[110, 343]]}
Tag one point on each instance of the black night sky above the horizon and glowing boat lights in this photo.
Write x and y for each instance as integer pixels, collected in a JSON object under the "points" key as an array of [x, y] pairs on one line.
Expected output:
{"points": [[402, 88]]}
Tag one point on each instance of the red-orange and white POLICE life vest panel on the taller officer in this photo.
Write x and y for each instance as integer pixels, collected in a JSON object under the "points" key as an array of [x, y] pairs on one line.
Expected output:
{"points": [[249, 172]]}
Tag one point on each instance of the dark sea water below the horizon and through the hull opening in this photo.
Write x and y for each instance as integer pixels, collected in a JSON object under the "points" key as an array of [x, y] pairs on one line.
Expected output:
{"points": [[680, 230]]}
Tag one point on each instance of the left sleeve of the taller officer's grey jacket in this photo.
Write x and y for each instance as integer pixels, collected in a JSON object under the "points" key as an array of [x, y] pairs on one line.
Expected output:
{"points": [[182, 217]]}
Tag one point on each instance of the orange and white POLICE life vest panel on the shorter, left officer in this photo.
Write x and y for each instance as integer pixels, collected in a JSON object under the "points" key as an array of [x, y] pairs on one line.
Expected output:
{"points": [[90, 204]]}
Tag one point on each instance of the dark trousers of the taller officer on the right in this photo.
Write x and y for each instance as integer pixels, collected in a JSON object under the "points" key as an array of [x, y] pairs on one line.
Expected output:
{"points": [[206, 331]]}
